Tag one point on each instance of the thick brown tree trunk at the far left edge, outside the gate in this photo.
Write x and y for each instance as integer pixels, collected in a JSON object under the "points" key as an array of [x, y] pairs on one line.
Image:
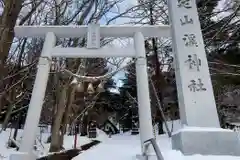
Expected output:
{"points": [[8, 20]]}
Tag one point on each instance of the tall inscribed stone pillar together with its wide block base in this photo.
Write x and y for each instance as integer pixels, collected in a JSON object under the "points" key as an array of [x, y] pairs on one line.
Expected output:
{"points": [[195, 92]]}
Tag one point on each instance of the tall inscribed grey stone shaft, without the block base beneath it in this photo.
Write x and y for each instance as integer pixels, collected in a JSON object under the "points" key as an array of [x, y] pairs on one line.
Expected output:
{"points": [[191, 66]]}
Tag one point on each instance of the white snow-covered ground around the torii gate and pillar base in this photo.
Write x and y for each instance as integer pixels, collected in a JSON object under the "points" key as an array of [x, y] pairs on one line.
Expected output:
{"points": [[118, 147]]}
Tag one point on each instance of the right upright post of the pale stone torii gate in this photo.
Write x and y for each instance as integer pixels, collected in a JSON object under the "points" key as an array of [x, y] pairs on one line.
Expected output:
{"points": [[144, 108]]}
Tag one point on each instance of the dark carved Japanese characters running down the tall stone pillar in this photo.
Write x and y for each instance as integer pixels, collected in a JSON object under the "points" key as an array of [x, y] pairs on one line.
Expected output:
{"points": [[193, 62]]}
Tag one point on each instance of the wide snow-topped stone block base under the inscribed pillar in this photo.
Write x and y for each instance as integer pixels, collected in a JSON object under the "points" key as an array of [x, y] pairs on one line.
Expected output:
{"points": [[206, 141]]}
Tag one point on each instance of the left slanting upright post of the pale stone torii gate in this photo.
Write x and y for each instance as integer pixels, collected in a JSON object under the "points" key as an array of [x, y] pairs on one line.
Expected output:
{"points": [[38, 93]]}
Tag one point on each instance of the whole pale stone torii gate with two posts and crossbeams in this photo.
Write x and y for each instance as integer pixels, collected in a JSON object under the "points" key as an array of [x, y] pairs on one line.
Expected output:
{"points": [[93, 50]]}
